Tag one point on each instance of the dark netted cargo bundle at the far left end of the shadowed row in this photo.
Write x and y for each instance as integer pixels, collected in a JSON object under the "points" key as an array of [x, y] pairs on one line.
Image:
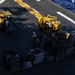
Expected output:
{"points": [[12, 61]]}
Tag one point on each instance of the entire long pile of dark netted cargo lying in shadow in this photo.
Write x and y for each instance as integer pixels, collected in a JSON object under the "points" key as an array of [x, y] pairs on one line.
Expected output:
{"points": [[49, 47]]}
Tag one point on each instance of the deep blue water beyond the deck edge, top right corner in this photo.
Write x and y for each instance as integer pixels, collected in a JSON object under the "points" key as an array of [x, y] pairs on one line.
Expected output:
{"points": [[68, 4]]}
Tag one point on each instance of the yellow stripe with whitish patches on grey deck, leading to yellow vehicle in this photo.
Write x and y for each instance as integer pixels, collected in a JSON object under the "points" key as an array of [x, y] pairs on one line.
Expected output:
{"points": [[30, 9]]}
